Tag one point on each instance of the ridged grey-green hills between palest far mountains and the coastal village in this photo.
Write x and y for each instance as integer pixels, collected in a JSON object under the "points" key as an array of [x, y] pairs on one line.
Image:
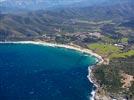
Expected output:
{"points": [[67, 20]]}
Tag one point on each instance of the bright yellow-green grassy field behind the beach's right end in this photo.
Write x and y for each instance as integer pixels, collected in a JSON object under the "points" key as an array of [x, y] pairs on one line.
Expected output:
{"points": [[110, 51]]}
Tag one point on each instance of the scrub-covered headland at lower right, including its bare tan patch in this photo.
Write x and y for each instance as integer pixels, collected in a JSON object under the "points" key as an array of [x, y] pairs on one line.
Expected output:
{"points": [[116, 78]]}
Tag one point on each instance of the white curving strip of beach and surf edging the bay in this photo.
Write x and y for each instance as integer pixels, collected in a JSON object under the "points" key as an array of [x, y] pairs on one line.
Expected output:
{"points": [[72, 47]]}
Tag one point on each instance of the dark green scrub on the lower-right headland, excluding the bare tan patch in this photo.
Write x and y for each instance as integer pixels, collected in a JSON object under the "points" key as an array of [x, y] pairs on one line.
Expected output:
{"points": [[109, 76]]}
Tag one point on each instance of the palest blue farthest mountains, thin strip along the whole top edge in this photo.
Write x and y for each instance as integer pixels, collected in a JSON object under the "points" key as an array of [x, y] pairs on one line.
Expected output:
{"points": [[51, 4]]}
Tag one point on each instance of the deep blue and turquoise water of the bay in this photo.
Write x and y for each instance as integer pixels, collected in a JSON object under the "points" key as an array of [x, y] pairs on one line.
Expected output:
{"points": [[34, 72]]}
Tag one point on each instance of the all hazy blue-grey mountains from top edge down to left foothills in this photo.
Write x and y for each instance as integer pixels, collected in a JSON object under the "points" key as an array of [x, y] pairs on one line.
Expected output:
{"points": [[31, 21]]}
